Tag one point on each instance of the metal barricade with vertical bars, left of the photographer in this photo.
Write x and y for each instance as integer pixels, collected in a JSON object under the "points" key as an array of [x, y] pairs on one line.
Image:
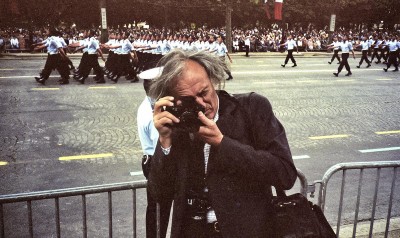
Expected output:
{"points": [[70, 192]]}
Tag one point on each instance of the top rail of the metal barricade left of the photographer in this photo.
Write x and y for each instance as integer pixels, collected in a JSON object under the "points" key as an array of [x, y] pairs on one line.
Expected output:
{"points": [[68, 192]]}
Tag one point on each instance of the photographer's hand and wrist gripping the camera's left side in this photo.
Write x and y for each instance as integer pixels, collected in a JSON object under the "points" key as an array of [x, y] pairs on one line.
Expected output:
{"points": [[163, 120]]}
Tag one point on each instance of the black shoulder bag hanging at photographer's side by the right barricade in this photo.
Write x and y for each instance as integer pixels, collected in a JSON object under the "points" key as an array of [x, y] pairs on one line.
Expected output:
{"points": [[293, 216]]}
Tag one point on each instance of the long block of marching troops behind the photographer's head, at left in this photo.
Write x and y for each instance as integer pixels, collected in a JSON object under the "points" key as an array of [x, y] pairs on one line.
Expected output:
{"points": [[125, 58]]}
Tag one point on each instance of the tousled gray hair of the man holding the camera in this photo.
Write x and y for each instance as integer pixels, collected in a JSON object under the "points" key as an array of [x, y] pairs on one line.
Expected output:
{"points": [[174, 64]]}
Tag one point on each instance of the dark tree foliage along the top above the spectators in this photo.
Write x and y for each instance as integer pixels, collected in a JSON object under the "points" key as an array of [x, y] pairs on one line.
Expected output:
{"points": [[211, 12]]}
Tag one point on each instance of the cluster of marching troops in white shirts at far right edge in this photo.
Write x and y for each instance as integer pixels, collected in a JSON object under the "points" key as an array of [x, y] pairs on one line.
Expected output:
{"points": [[385, 50]]}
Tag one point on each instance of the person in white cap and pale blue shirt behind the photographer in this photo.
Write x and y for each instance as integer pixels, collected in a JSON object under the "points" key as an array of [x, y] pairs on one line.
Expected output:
{"points": [[148, 136]]}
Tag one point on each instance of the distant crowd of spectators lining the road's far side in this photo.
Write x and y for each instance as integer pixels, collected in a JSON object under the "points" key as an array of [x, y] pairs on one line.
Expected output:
{"points": [[259, 39]]}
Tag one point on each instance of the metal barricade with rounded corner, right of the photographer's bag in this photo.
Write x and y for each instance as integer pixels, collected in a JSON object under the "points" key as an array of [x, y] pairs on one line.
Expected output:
{"points": [[361, 167]]}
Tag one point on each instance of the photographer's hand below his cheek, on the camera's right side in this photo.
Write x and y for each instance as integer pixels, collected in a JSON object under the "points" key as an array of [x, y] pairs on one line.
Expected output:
{"points": [[210, 132]]}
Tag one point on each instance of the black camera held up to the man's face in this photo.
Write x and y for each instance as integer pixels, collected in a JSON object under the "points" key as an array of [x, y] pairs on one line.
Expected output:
{"points": [[187, 113]]}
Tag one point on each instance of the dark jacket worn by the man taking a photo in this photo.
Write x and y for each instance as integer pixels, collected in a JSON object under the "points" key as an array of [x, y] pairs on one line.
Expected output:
{"points": [[253, 155]]}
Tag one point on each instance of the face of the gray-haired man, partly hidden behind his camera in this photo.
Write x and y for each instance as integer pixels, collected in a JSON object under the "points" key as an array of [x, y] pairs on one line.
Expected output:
{"points": [[194, 82]]}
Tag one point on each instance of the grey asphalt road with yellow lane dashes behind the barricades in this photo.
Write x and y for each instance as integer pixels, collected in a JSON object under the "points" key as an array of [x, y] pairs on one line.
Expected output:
{"points": [[61, 136]]}
